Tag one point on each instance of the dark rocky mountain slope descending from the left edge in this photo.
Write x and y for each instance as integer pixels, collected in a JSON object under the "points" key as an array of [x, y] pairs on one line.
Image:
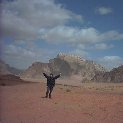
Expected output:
{"points": [[6, 69]]}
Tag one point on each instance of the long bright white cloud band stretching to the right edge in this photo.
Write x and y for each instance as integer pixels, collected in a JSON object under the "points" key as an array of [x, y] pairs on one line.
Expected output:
{"points": [[61, 34]]}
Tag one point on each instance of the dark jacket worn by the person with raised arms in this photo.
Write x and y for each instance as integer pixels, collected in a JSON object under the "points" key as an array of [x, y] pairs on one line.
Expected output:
{"points": [[51, 80]]}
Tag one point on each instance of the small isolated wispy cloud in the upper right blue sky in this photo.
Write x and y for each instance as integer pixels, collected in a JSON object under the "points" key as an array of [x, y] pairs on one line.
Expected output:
{"points": [[104, 10]]}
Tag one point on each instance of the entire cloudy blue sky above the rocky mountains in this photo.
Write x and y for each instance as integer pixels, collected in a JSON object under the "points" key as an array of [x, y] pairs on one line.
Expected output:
{"points": [[37, 30]]}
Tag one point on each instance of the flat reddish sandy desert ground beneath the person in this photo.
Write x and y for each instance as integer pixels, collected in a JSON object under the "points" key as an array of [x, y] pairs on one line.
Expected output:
{"points": [[90, 103]]}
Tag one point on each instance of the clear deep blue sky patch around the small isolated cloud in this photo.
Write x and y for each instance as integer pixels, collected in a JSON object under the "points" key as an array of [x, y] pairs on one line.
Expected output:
{"points": [[87, 8]]}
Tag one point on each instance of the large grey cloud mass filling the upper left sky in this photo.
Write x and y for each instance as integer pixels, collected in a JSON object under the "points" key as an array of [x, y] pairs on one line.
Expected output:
{"points": [[22, 19]]}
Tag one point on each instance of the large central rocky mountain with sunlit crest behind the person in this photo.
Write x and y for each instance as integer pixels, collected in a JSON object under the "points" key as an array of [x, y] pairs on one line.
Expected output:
{"points": [[68, 65]]}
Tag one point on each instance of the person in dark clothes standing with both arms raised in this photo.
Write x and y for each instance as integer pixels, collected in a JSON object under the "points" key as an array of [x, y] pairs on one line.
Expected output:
{"points": [[50, 83]]}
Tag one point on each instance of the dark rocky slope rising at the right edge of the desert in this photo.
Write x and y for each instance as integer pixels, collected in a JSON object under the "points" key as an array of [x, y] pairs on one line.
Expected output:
{"points": [[115, 75]]}
